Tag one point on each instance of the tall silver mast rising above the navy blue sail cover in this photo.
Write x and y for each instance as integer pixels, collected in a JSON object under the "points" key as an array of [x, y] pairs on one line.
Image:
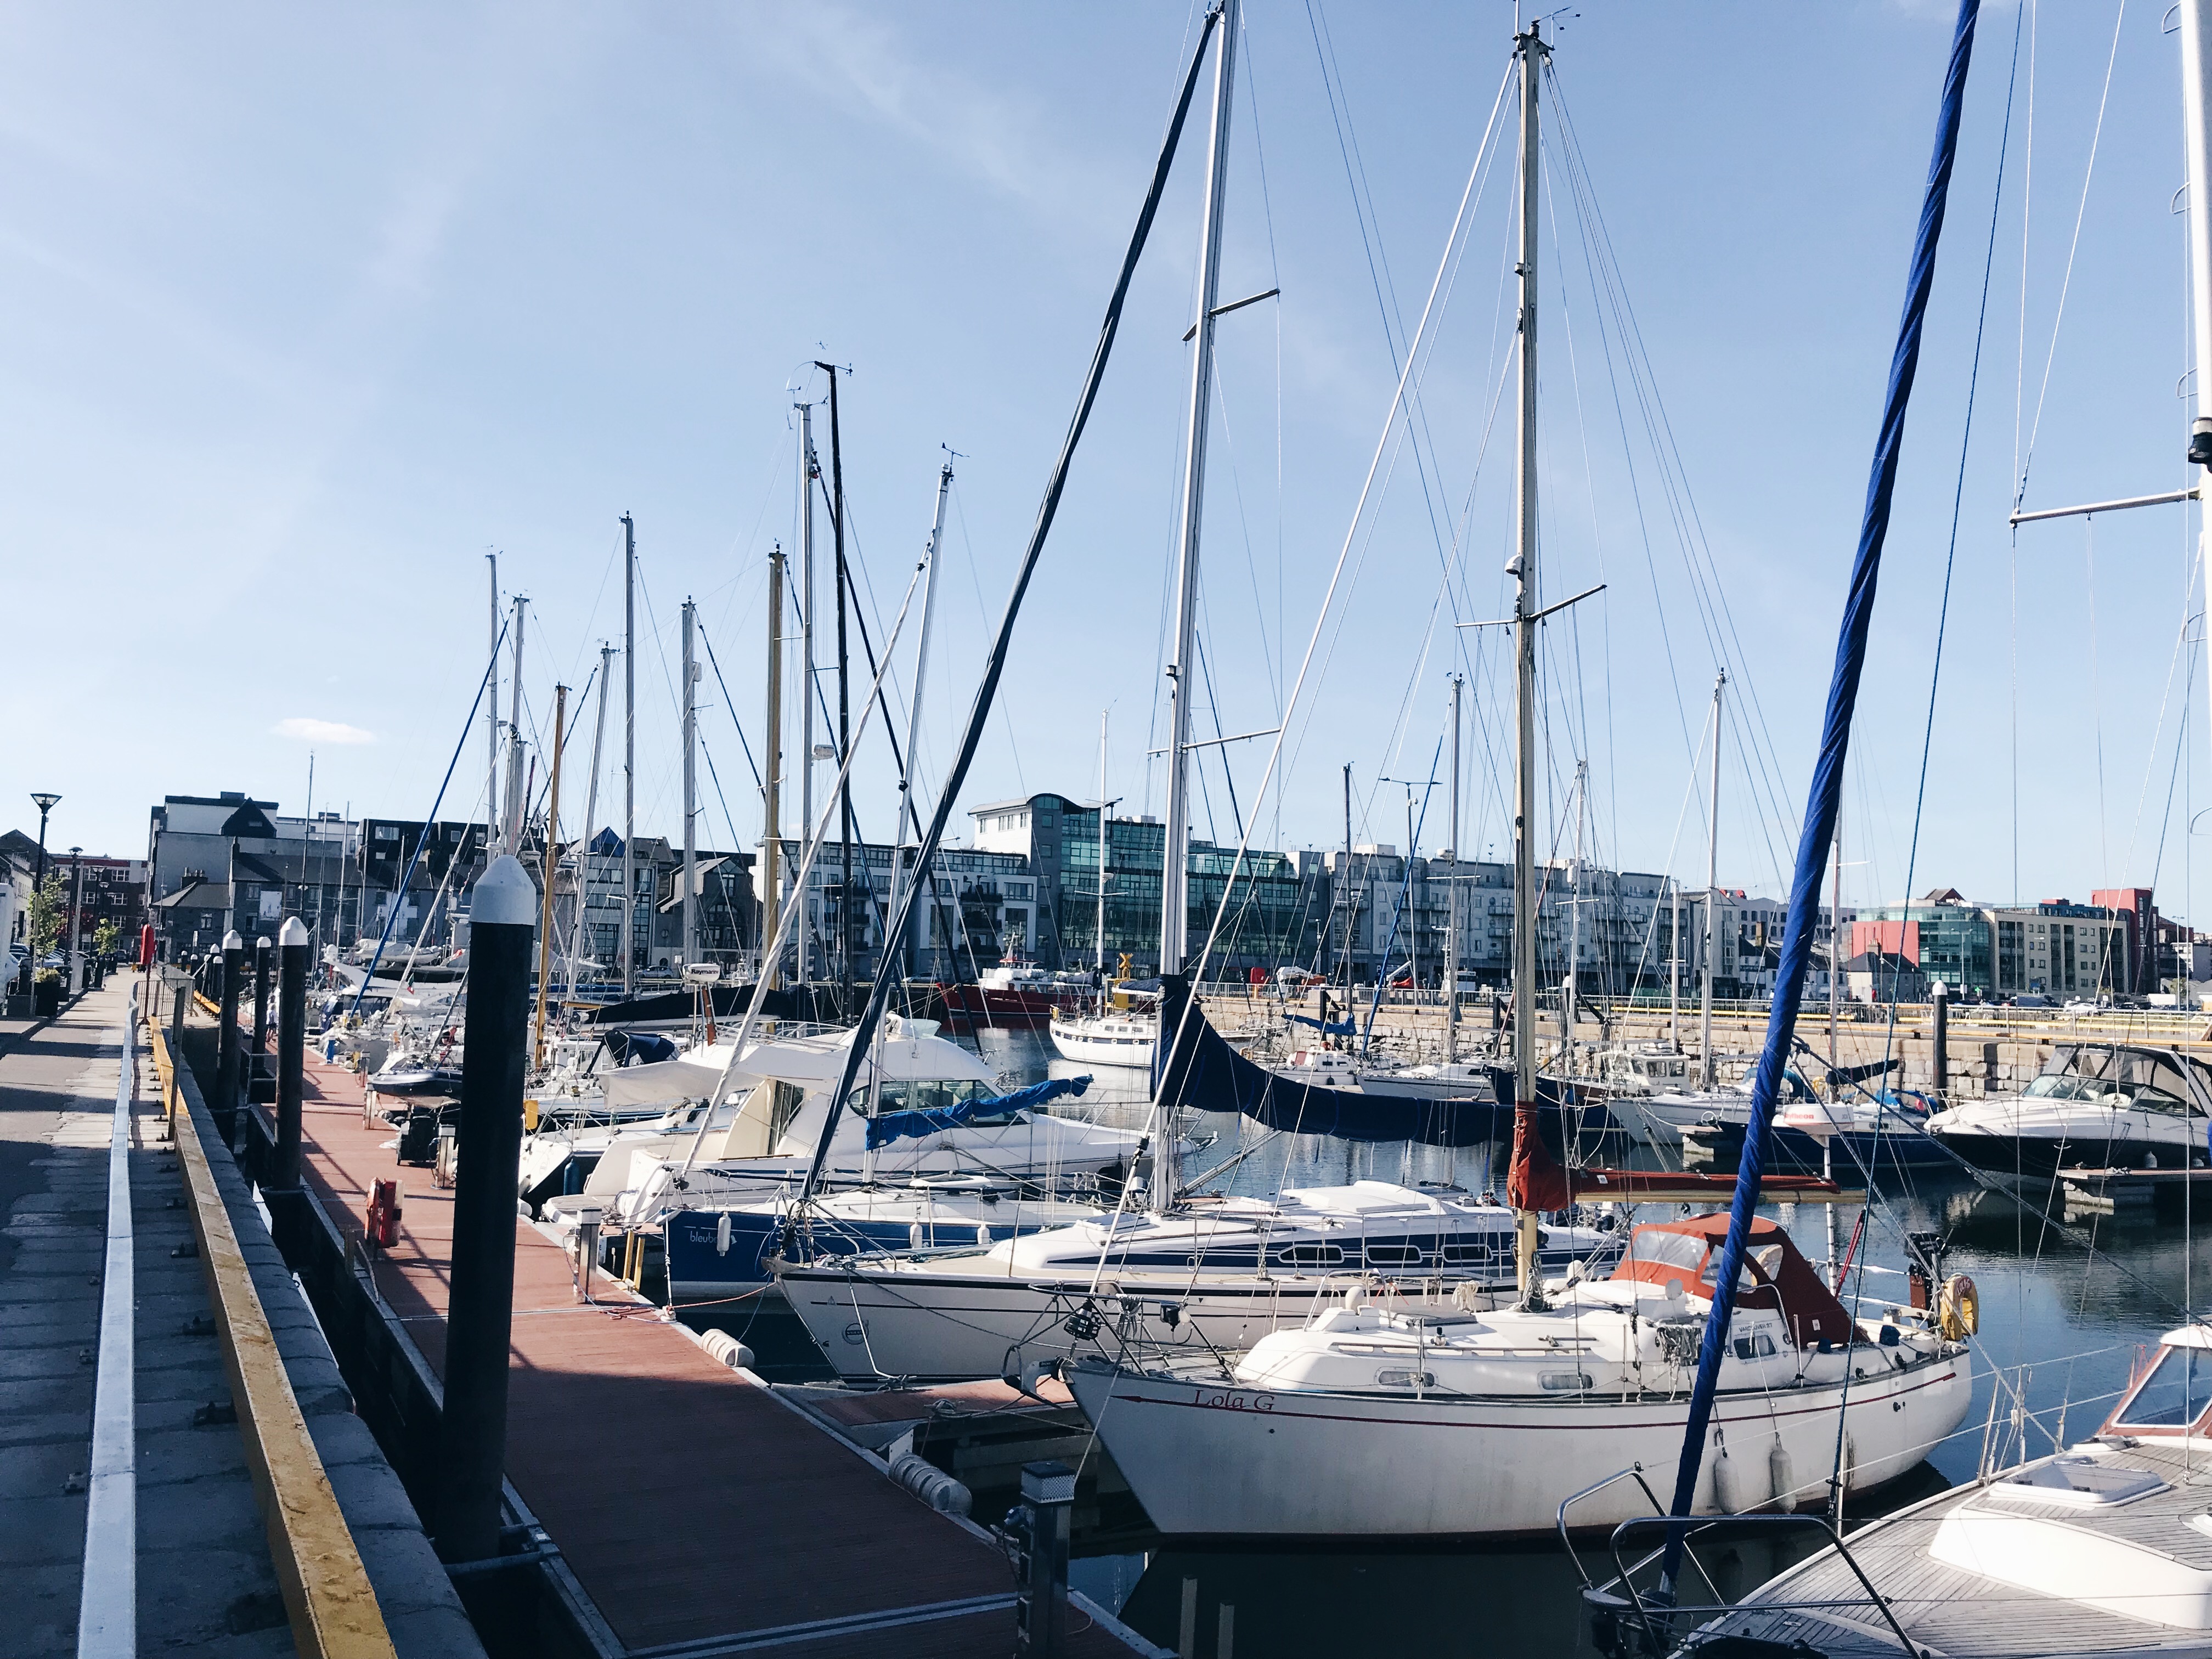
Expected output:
{"points": [[1182, 667]]}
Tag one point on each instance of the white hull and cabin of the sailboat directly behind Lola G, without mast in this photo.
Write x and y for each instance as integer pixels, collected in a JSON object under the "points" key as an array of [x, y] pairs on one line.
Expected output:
{"points": [[1211, 1277]]}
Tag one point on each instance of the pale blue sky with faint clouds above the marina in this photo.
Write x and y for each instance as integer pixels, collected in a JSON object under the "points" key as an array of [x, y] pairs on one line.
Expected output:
{"points": [[311, 311]]}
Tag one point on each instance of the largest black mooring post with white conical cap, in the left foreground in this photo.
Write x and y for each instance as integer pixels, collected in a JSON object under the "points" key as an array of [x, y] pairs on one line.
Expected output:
{"points": [[490, 1151]]}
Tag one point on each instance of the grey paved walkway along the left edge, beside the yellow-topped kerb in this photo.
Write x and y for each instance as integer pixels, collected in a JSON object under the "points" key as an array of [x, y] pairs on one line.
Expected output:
{"points": [[205, 1578]]}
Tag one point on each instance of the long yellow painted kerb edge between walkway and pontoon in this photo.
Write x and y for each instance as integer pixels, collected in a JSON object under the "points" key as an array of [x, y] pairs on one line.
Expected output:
{"points": [[326, 1589]]}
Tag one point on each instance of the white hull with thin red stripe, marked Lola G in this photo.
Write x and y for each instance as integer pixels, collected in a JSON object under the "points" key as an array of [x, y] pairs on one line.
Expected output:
{"points": [[1227, 1461]]}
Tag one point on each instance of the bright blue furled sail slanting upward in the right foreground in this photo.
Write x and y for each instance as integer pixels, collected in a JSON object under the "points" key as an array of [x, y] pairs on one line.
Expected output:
{"points": [[1819, 831]]}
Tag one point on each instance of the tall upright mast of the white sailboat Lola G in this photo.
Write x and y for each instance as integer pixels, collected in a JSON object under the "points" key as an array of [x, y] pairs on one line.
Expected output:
{"points": [[1525, 623]]}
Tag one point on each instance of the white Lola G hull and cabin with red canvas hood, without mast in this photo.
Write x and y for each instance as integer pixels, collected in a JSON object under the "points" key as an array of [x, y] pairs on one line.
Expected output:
{"points": [[1454, 1419]]}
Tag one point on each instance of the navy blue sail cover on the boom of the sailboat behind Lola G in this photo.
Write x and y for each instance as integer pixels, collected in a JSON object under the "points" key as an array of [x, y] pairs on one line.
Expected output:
{"points": [[1204, 1074]]}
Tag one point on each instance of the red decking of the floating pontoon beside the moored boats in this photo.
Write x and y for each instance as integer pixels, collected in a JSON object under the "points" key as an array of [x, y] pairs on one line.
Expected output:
{"points": [[689, 1503]]}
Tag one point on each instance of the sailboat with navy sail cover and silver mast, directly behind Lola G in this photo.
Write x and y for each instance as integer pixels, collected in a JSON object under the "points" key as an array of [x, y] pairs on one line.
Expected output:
{"points": [[1191, 1273]]}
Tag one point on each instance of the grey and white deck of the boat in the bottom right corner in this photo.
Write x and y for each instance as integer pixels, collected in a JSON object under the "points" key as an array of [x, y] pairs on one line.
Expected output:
{"points": [[1965, 1616]]}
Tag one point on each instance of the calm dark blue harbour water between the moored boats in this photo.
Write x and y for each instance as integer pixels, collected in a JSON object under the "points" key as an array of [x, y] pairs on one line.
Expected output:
{"points": [[2065, 1315]]}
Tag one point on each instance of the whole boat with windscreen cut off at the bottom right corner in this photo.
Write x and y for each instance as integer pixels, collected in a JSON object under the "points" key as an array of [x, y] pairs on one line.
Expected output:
{"points": [[2103, 1547]]}
